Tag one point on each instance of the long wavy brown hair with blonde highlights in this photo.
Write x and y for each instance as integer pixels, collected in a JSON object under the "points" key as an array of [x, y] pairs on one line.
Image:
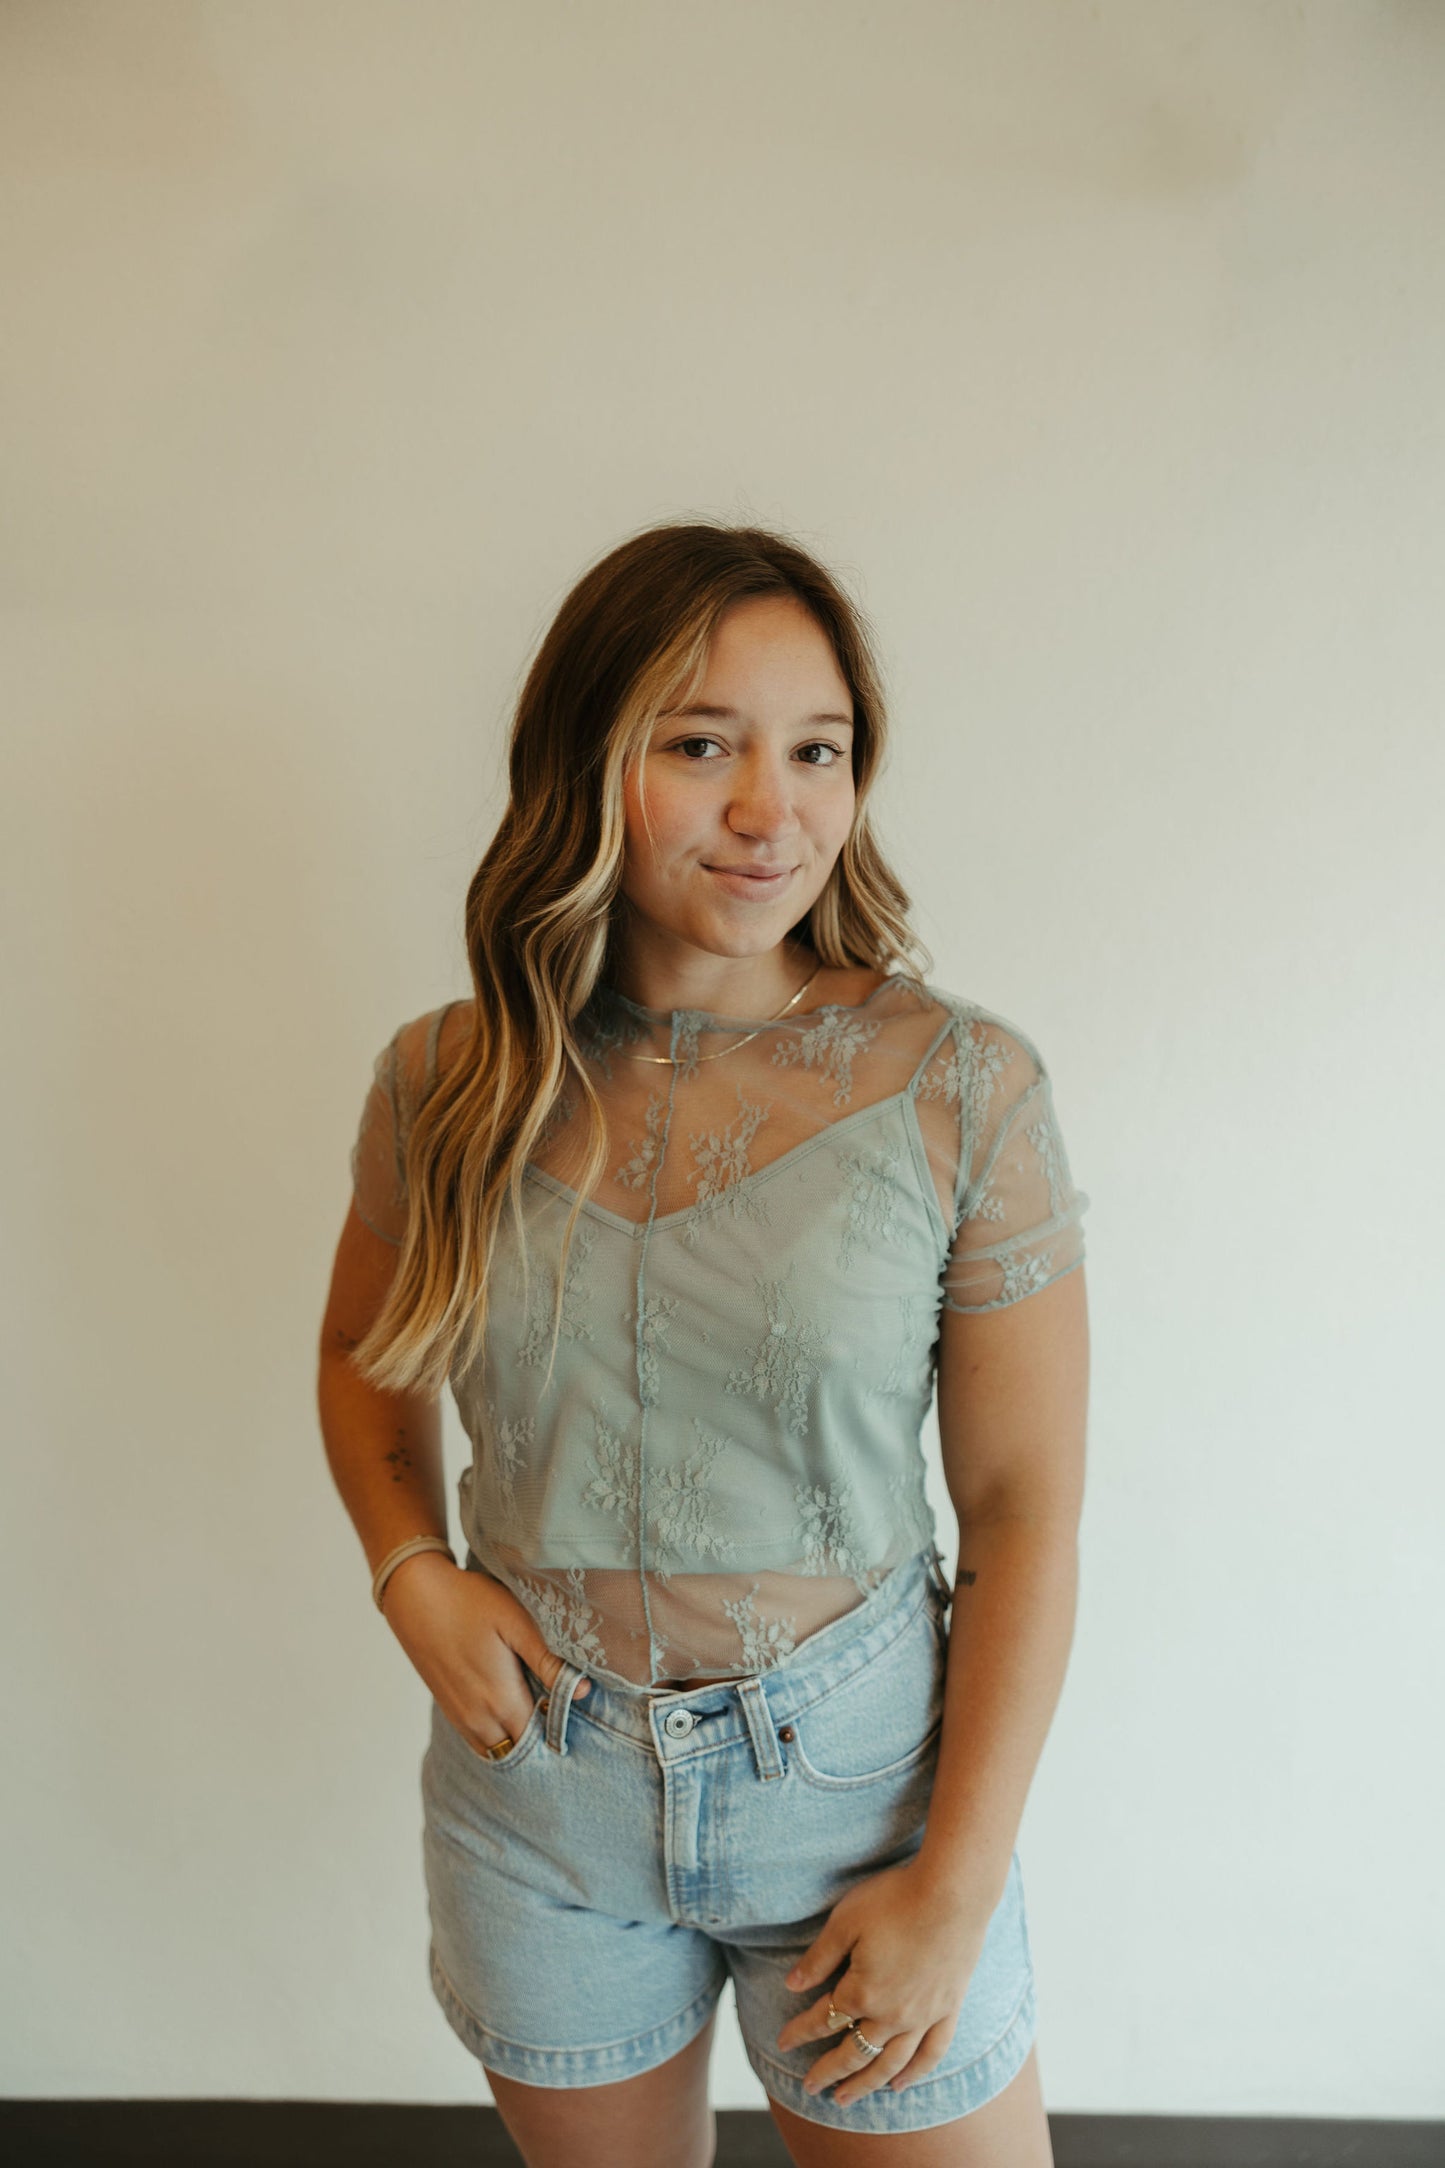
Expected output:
{"points": [[632, 641]]}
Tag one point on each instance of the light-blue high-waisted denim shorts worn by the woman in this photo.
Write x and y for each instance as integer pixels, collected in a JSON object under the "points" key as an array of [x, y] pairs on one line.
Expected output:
{"points": [[595, 1889]]}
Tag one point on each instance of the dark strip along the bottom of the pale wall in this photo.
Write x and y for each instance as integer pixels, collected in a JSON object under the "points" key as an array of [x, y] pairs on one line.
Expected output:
{"points": [[322, 2134]]}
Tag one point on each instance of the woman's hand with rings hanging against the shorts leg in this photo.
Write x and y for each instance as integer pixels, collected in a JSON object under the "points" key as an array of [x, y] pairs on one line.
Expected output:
{"points": [[911, 1954]]}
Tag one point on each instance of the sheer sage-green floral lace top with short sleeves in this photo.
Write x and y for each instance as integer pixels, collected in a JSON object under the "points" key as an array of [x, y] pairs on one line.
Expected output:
{"points": [[727, 1454]]}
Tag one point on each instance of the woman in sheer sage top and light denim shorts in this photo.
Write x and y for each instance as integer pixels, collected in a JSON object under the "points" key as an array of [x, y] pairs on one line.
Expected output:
{"points": [[694, 1204]]}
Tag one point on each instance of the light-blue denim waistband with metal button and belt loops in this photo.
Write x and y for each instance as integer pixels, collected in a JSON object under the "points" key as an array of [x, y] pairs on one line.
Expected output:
{"points": [[761, 1701]]}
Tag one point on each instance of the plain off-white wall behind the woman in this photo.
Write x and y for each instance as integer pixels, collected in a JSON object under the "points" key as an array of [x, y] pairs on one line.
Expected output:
{"points": [[1104, 352]]}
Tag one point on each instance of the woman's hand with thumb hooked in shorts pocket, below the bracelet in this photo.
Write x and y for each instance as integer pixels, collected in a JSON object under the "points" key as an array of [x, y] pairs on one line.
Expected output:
{"points": [[469, 1640]]}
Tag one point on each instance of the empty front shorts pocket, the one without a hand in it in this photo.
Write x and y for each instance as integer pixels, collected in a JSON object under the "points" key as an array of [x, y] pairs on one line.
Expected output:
{"points": [[883, 1720]]}
